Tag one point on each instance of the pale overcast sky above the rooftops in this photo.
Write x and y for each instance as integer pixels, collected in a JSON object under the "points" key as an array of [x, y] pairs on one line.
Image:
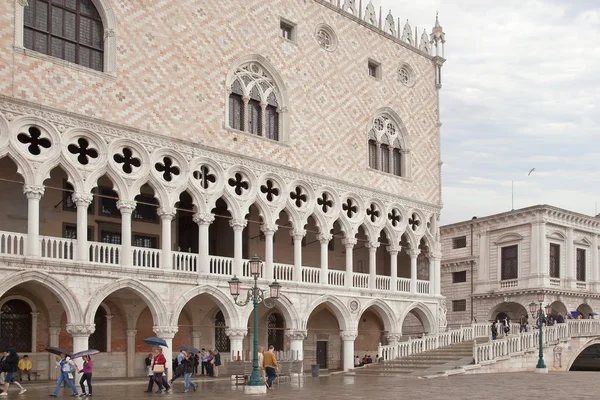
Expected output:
{"points": [[520, 91]]}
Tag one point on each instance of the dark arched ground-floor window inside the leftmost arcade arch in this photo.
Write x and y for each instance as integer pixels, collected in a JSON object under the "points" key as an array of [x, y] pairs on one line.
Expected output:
{"points": [[16, 325]]}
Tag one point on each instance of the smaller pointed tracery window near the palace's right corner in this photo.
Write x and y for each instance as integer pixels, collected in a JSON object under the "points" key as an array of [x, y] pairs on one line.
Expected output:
{"points": [[387, 146]]}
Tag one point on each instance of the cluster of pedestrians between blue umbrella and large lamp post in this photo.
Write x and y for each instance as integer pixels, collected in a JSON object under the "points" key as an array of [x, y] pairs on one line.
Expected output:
{"points": [[185, 364]]}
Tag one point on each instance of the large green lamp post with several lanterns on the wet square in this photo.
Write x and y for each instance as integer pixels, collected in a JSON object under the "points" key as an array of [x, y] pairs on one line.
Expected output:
{"points": [[256, 295]]}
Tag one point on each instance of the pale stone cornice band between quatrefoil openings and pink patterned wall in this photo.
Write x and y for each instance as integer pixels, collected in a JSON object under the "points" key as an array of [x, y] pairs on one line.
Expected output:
{"points": [[12, 108]]}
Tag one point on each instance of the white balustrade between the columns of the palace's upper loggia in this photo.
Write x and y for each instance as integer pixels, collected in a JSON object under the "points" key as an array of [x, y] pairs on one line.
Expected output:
{"points": [[15, 244]]}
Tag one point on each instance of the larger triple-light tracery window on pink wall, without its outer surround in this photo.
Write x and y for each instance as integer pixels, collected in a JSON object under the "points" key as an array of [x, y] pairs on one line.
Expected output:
{"points": [[255, 102]]}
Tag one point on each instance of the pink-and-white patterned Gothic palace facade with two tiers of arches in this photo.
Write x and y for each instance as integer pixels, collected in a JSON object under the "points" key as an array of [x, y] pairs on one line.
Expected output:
{"points": [[149, 149]]}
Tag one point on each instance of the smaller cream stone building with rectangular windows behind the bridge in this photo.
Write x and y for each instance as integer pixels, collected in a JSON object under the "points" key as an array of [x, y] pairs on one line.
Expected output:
{"points": [[494, 266]]}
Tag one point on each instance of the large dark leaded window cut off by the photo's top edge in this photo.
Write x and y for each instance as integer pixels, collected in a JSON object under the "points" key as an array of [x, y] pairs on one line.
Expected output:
{"points": [[71, 30]]}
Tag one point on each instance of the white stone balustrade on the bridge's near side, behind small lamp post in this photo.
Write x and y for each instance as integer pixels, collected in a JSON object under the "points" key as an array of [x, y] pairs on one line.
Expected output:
{"points": [[529, 341]]}
